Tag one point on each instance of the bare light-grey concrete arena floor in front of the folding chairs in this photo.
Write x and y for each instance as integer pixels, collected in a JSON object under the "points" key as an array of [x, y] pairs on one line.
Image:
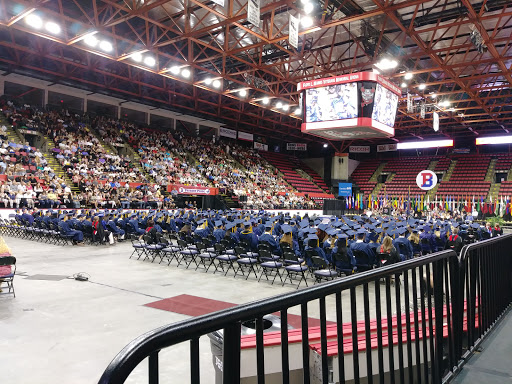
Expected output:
{"points": [[68, 330]]}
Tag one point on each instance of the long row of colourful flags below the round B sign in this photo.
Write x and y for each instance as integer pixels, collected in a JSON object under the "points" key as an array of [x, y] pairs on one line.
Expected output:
{"points": [[500, 206]]}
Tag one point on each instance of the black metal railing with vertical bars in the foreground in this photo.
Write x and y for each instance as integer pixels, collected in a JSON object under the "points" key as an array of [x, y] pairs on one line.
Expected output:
{"points": [[419, 333]]}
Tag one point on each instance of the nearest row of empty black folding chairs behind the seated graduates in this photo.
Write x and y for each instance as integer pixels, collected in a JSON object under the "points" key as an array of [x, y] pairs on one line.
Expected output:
{"points": [[223, 257]]}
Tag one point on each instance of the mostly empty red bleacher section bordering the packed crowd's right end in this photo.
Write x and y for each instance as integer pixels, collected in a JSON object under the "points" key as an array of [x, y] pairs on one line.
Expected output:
{"points": [[287, 165]]}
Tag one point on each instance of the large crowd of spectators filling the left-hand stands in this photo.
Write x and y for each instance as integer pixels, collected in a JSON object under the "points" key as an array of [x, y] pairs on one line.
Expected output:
{"points": [[101, 177]]}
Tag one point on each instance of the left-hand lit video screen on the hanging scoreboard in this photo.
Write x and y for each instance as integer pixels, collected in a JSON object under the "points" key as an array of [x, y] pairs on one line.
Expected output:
{"points": [[334, 102]]}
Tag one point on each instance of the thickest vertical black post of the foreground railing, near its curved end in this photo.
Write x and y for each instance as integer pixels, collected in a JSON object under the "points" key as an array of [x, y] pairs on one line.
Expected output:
{"points": [[231, 365]]}
